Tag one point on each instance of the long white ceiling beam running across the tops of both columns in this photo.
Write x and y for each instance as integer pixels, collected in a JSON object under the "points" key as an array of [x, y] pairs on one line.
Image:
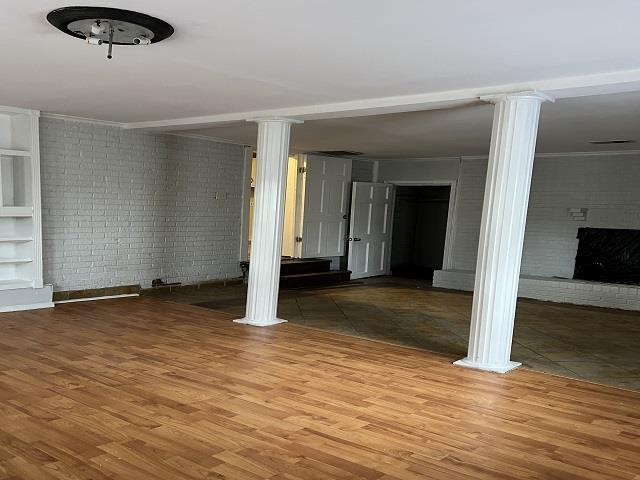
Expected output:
{"points": [[566, 87]]}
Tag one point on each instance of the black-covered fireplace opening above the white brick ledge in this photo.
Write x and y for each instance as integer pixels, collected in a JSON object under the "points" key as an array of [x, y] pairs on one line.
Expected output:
{"points": [[608, 255]]}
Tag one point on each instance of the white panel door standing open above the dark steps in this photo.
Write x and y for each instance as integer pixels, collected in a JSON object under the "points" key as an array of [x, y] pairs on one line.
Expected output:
{"points": [[326, 203]]}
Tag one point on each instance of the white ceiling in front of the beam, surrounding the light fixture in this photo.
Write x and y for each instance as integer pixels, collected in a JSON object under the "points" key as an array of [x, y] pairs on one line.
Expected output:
{"points": [[247, 55]]}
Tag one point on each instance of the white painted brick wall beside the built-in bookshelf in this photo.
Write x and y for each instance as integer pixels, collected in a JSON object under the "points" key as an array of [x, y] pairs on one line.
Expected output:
{"points": [[124, 207]]}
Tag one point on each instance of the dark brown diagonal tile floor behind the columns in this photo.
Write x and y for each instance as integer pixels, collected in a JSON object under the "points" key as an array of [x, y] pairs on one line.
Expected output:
{"points": [[593, 344]]}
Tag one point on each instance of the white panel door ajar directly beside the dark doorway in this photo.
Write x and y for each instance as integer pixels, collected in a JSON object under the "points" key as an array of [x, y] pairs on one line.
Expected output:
{"points": [[370, 229]]}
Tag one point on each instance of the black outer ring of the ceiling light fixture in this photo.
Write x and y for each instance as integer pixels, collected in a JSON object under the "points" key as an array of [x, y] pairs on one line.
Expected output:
{"points": [[62, 17]]}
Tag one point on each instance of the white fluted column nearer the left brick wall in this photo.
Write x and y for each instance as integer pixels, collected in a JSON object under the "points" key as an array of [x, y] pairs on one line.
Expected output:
{"points": [[268, 215]]}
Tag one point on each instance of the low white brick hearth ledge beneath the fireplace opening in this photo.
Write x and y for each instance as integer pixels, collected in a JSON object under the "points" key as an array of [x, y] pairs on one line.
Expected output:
{"points": [[577, 292]]}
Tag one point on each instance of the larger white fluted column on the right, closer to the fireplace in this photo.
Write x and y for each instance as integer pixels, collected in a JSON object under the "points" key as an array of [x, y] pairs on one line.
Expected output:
{"points": [[504, 214]]}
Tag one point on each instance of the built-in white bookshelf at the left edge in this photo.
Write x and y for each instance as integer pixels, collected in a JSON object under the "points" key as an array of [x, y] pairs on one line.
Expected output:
{"points": [[20, 212]]}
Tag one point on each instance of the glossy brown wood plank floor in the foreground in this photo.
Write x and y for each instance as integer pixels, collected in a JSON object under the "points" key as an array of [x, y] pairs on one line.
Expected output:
{"points": [[142, 389]]}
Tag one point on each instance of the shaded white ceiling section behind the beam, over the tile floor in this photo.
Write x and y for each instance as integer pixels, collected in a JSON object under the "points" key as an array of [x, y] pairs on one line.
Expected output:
{"points": [[565, 126]]}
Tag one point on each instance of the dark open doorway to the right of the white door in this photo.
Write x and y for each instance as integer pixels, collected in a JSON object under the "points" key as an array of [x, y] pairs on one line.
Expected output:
{"points": [[419, 230]]}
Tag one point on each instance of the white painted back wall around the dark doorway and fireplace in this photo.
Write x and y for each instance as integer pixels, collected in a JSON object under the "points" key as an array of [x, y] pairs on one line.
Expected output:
{"points": [[608, 185]]}
